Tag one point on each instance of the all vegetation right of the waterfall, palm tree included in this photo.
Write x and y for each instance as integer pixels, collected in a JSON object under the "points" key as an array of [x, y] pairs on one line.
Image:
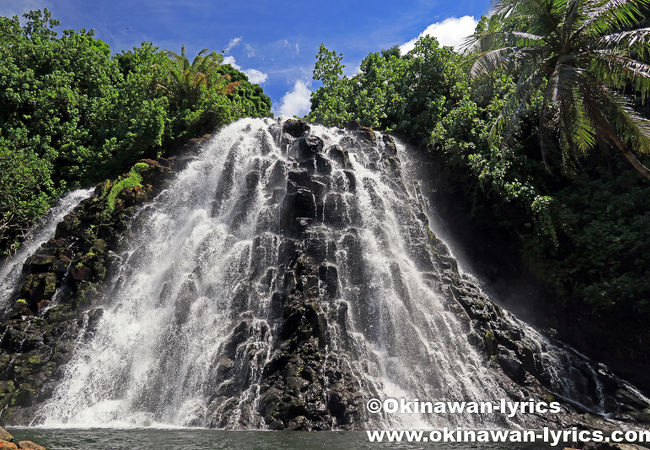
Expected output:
{"points": [[530, 130]]}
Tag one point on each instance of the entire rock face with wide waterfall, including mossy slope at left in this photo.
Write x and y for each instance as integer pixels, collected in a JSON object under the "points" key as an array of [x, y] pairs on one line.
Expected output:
{"points": [[297, 277]]}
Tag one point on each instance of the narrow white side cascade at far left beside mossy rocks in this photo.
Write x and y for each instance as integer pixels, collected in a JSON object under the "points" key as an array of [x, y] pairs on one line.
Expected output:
{"points": [[11, 269]]}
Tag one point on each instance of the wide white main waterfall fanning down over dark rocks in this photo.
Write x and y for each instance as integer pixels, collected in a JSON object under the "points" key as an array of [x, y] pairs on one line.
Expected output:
{"points": [[202, 322]]}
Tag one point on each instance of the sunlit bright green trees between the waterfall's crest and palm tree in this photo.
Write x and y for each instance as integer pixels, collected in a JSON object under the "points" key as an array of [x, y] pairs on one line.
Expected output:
{"points": [[399, 94]]}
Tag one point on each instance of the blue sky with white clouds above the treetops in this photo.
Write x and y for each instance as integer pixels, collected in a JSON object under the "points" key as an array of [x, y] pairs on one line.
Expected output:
{"points": [[274, 42]]}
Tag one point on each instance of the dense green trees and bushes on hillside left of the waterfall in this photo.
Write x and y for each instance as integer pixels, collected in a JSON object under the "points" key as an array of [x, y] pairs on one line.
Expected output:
{"points": [[71, 115]]}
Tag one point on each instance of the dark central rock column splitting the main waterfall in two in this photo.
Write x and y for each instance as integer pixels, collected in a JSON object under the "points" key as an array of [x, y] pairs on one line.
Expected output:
{"points": [[303, 385]]}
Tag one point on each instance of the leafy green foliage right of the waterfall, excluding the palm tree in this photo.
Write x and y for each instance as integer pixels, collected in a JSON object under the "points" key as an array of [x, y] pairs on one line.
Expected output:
{"points": [[582, 230]]}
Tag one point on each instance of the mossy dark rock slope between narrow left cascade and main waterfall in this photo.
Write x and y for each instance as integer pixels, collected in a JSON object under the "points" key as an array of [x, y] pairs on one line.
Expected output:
{"points": [[54, 300]]}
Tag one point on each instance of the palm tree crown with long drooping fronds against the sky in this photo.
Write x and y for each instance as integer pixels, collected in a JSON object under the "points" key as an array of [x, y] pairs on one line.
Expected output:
{"points": [[583, 55]]}
